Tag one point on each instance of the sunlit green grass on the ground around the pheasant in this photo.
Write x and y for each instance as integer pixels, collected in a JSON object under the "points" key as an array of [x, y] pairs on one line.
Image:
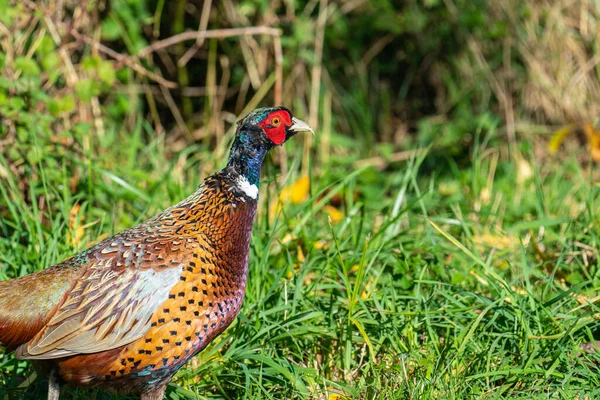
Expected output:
{"points": [[451, 281]]}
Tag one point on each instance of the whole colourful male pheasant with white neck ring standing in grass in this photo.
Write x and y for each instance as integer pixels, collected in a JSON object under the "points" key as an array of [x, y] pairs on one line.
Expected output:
{"points": [[127, 313]]}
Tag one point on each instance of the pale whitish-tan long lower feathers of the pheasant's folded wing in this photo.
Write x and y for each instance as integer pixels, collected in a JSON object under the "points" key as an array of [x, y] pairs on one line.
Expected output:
{"points": [[106, 309]]}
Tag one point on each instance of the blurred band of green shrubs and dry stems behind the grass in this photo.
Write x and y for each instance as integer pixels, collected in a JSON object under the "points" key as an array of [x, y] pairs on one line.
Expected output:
{"points": [[392, 75]]}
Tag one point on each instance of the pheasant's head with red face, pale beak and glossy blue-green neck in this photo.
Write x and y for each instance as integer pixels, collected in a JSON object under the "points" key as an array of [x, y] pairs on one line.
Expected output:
{"points": [[259, 132]]}
